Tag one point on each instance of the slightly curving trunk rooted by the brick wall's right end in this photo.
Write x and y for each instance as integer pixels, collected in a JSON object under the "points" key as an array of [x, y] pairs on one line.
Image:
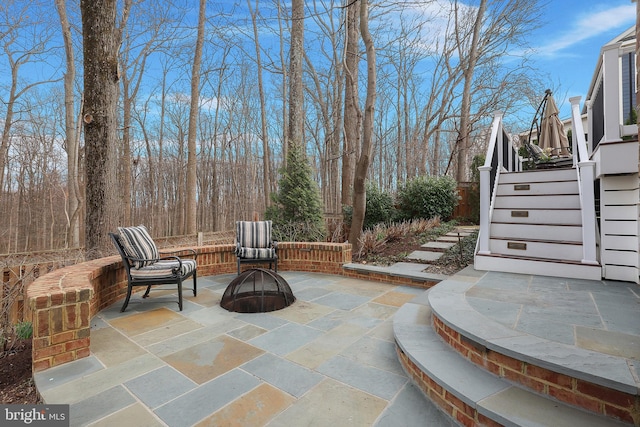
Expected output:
{"points": [[362, 167]]}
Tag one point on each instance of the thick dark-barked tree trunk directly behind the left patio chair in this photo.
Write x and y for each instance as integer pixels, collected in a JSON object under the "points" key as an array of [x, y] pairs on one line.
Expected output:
{"points": [[101, 43]]}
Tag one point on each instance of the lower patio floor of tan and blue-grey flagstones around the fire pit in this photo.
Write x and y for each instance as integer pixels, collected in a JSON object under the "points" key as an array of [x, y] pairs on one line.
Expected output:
{"points": [[327, 360]]}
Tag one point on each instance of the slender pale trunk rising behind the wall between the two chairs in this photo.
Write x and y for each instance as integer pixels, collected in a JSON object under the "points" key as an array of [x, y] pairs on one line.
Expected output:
{"points": [[191, 208]]}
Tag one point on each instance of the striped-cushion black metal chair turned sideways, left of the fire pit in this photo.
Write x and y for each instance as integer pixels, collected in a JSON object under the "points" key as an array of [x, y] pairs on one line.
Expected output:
{"points": [[146, 266]]}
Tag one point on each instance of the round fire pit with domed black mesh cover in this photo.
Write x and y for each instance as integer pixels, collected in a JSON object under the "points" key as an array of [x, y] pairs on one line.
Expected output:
{"points": [[257, 291]]}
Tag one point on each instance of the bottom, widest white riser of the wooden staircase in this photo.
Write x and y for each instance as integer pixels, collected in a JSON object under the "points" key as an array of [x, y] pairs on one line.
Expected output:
{"points": [[540, 268]]}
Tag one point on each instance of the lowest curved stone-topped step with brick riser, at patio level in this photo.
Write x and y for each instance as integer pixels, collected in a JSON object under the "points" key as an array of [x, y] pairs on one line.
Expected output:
{"points": [[482, 392]]}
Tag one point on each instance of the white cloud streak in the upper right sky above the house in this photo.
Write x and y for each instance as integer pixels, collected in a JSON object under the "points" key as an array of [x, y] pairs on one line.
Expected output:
{"points": [[591, 25]]}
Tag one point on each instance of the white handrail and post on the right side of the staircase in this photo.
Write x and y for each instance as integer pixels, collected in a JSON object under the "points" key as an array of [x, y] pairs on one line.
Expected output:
{"points": [[586, 176]]}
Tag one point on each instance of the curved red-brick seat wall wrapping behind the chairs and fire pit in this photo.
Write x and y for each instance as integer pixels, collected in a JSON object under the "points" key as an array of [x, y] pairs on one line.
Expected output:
{"points": [[61, 304]]}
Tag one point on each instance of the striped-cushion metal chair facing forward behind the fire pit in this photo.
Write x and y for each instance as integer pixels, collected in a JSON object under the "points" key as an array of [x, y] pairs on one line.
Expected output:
{"points": [[255, 245]]}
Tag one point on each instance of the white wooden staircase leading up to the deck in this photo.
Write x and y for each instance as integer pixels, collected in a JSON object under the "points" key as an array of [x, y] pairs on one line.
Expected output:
{"points": [[536, 226]]}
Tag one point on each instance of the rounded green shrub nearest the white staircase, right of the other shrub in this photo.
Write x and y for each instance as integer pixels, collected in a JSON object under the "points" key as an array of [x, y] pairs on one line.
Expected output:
{"points": [[427, 197]]}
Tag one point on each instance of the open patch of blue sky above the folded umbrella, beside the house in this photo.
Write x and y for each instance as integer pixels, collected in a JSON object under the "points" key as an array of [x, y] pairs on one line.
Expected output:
{"points": [[568, 43]]}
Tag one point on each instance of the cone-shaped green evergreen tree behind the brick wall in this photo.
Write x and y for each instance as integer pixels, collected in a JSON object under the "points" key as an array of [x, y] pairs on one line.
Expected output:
{"points": [[297, 207]]}
